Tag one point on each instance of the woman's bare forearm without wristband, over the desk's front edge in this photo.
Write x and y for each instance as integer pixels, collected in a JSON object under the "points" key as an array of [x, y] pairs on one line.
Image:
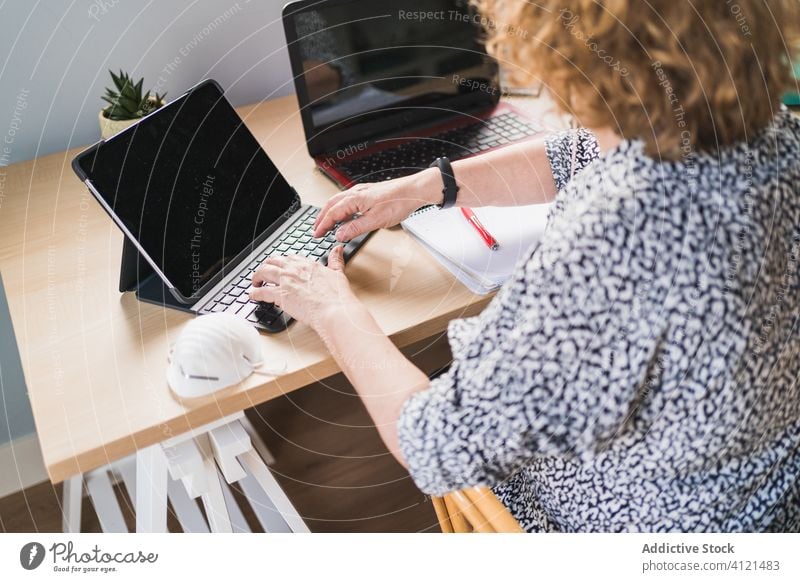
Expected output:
{"points": [[382, 376]]}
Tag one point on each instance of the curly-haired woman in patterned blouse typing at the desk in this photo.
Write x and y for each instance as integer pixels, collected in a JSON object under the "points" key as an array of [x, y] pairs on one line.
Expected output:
{"points": [[639, 369]]}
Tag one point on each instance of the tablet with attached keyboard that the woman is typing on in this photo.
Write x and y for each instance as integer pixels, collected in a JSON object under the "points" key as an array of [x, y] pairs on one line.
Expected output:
{"points": [[203, 204]]}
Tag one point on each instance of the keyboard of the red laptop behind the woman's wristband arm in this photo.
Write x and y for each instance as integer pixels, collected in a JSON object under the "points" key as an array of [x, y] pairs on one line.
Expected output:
{"points": [[411, 157]]}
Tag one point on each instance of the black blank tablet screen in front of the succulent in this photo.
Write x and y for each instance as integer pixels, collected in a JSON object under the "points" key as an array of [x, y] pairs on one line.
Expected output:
{"points": [[192, 185]]}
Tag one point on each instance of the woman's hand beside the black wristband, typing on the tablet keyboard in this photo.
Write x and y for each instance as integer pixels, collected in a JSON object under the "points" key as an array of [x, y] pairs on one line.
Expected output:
{"points": [[378, 205]]}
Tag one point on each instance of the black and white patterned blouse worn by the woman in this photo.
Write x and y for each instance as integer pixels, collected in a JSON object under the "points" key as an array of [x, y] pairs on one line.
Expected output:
{"points": [[639, 371]]}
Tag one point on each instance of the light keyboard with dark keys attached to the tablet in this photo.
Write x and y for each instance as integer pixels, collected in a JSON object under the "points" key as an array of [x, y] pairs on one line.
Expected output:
{"points": [[298, 240]]}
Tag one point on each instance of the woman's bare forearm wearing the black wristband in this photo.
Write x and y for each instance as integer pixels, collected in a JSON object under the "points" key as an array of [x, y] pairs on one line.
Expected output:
{"points": [[513, 176]]}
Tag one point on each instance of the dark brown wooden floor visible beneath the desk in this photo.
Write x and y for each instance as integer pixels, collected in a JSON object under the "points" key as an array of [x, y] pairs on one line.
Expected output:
{"points": [[330, 461]]}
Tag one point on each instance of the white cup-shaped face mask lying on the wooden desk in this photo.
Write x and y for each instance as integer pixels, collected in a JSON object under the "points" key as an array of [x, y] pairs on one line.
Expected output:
{"points": [[213, 352]]}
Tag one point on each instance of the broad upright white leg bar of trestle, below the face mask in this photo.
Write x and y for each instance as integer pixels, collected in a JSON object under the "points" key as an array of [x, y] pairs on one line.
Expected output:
{"points": [[151, 490]]}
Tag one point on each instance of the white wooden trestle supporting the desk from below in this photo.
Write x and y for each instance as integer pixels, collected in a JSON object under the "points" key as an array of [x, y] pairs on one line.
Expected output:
{"points": [[201, 464]]}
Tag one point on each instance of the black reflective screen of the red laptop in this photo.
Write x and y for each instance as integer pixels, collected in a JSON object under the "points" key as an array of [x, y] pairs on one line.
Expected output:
{"points": [[365, 67]]}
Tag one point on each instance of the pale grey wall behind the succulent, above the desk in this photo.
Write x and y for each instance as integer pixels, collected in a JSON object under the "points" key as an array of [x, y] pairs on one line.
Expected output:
{"points": [[55, 56]]}
